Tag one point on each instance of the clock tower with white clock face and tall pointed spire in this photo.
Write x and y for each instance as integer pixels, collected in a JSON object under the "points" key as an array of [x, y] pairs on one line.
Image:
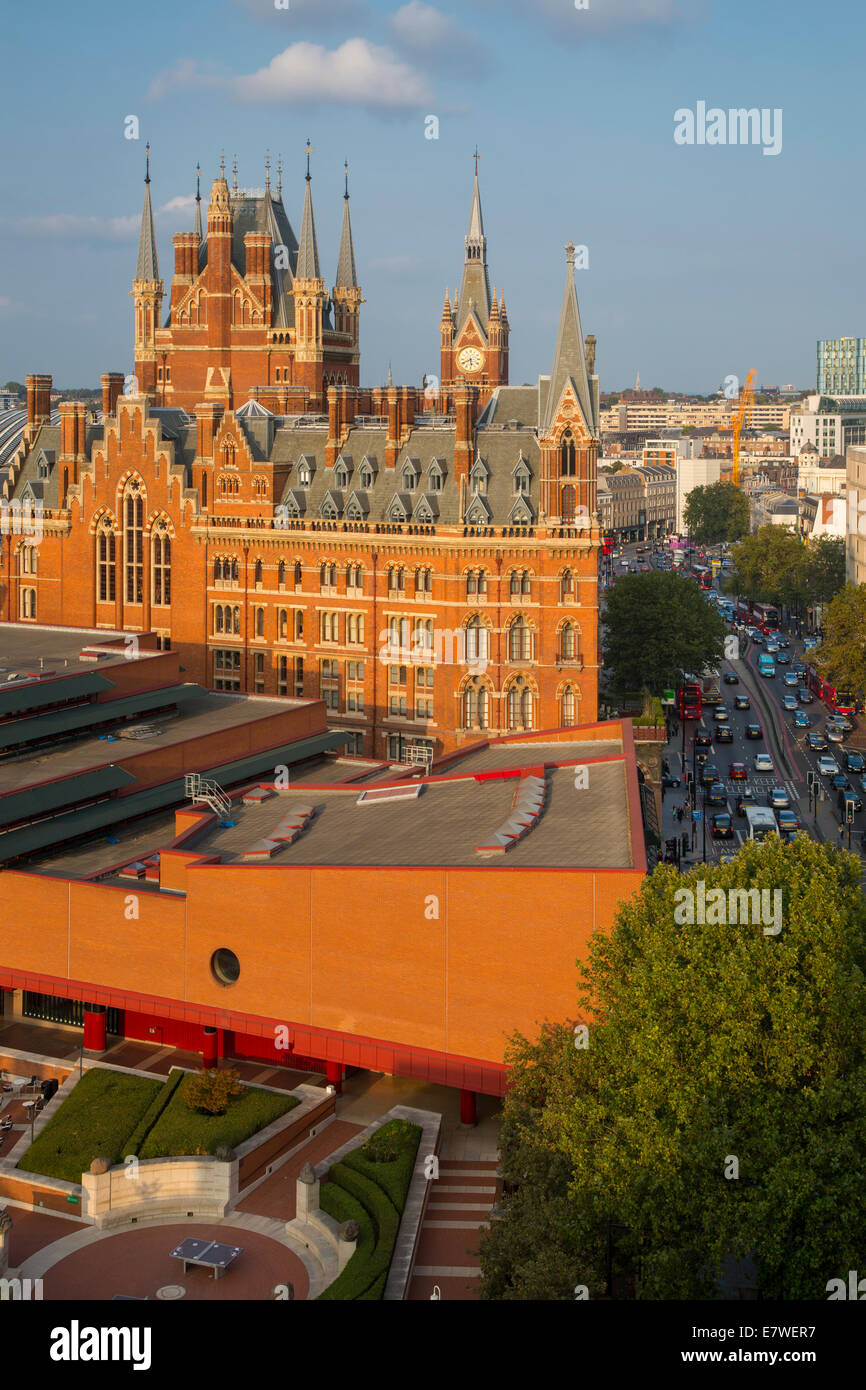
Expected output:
{"points": [[475, 332]]}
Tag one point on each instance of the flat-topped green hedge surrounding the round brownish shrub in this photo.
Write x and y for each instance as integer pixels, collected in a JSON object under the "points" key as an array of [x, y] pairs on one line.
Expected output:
{"points": [[181, 1131]]}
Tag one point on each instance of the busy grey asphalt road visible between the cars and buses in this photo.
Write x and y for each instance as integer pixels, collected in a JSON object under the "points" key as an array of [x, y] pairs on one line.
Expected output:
{"points": [[792, 757]]}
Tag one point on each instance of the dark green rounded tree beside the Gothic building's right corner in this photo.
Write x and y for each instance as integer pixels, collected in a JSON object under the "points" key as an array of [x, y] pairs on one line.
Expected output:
{"points": [[658, 626]]}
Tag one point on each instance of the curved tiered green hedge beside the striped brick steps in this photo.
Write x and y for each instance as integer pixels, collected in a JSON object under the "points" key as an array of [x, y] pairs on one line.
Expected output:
{"points": [[380, 1189]]}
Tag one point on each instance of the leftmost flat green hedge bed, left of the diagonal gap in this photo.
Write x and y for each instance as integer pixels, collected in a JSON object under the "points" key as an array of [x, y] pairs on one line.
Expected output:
{"points": [[94, 1122]]}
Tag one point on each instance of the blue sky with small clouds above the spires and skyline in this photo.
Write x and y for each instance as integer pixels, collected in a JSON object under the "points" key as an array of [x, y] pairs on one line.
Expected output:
{"points": [[704, 261]]}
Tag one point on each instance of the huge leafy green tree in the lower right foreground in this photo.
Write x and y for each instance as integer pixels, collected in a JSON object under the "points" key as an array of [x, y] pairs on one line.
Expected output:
{"points": [[719, 1107]]}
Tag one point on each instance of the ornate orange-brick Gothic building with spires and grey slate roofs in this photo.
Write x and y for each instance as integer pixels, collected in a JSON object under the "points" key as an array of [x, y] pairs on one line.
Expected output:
{"points": [[426, 568]]}
